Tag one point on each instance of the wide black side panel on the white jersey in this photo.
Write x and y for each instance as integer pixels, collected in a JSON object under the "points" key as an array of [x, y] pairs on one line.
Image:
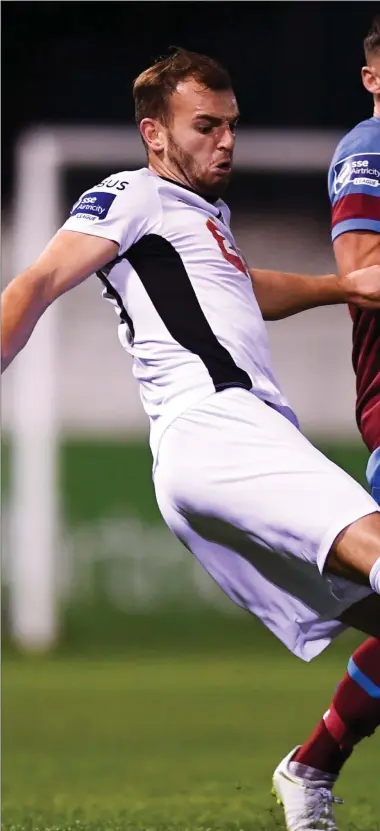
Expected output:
{"points": [[165, 279]]}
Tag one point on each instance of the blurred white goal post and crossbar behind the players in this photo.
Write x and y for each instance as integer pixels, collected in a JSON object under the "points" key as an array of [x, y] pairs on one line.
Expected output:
{"points": [[41, 157]]}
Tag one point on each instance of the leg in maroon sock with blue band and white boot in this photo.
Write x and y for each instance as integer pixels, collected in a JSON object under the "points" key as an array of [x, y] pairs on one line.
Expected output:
{"points": [[354, 712]]}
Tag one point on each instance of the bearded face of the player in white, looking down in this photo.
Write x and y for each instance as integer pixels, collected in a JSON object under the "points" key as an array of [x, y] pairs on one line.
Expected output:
{"points": [[201, 137]]}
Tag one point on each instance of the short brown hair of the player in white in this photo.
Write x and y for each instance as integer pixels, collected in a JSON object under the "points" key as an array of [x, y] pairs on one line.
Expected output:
{"points": [[152, 89]]}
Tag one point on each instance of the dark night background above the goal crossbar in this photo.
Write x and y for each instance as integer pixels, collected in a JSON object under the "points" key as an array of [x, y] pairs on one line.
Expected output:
{"points": [[292, 64]]}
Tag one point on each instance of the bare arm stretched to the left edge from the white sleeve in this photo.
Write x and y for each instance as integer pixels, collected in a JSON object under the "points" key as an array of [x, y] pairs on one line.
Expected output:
{"points": [[68, 260]]}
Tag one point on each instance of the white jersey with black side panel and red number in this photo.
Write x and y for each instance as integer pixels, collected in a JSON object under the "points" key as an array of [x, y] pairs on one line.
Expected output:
{"points": [[181, 288]]}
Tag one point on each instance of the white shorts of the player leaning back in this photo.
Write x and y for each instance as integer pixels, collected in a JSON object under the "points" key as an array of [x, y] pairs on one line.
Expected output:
{"points": [[260, 507]]}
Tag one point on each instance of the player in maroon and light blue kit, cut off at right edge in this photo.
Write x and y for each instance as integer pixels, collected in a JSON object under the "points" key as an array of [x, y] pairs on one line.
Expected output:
{"points": [[354, 189]]}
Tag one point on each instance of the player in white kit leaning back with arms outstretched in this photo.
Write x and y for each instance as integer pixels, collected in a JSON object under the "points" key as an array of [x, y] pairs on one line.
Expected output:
{"points": [[287, 535]]}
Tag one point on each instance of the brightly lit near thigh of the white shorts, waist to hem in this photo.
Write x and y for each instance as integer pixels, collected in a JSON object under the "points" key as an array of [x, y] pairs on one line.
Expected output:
{"points": [[255, 472]]}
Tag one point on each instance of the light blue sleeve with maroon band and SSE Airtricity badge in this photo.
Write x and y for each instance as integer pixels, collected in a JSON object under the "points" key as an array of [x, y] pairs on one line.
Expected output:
{"points": [[354, 190]]}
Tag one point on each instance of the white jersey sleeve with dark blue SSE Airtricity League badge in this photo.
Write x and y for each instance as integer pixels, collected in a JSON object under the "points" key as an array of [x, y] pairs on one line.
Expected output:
{"points": [[121, 212]]}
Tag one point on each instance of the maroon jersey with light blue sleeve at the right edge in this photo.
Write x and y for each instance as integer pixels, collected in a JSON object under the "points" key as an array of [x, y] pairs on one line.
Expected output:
{"points": [[354, 189]]}
